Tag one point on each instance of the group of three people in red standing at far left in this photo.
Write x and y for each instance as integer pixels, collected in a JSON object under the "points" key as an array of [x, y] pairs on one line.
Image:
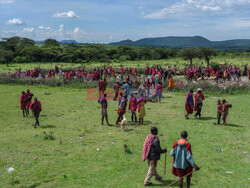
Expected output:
{"points": [[27, 104]]}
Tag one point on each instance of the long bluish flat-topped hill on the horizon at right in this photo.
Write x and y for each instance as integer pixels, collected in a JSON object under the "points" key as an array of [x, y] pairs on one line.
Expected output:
{"points": [[183, 42]]}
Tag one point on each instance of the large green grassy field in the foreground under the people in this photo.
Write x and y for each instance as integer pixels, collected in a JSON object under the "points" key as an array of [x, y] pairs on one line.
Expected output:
{"points": [[75, 121]]}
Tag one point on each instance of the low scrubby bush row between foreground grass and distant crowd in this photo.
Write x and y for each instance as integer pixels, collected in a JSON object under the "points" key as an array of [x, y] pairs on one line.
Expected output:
{"points": [[79, 83]]}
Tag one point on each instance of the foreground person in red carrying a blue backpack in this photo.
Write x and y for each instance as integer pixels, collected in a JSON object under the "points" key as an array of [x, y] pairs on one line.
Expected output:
{"points": [[183, 162]]}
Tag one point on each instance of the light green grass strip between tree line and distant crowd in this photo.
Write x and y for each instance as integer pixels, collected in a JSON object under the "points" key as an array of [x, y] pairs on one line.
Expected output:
{"points": [[239, 61]]}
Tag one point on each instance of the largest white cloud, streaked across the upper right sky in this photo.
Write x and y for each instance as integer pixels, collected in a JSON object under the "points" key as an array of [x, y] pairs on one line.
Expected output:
{"points": [[197, 7]]}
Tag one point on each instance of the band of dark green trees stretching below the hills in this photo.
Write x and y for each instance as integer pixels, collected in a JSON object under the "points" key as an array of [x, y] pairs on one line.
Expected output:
{"points": [[22, 50]]}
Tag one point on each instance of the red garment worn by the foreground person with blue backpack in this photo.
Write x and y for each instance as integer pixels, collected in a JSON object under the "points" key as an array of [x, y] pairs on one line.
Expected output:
{"points": [[182, 172]]}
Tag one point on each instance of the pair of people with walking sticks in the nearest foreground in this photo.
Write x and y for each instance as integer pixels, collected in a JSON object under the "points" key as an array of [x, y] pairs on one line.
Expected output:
{"points": [[183, 162]]}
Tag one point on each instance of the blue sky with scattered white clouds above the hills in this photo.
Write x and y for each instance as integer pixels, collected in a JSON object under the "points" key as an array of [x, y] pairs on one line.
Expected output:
{"points": [[104, 21]]}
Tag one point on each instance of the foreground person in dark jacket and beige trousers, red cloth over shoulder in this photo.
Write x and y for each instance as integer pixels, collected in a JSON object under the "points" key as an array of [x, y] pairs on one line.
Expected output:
{"points": [[152, 152]]}
